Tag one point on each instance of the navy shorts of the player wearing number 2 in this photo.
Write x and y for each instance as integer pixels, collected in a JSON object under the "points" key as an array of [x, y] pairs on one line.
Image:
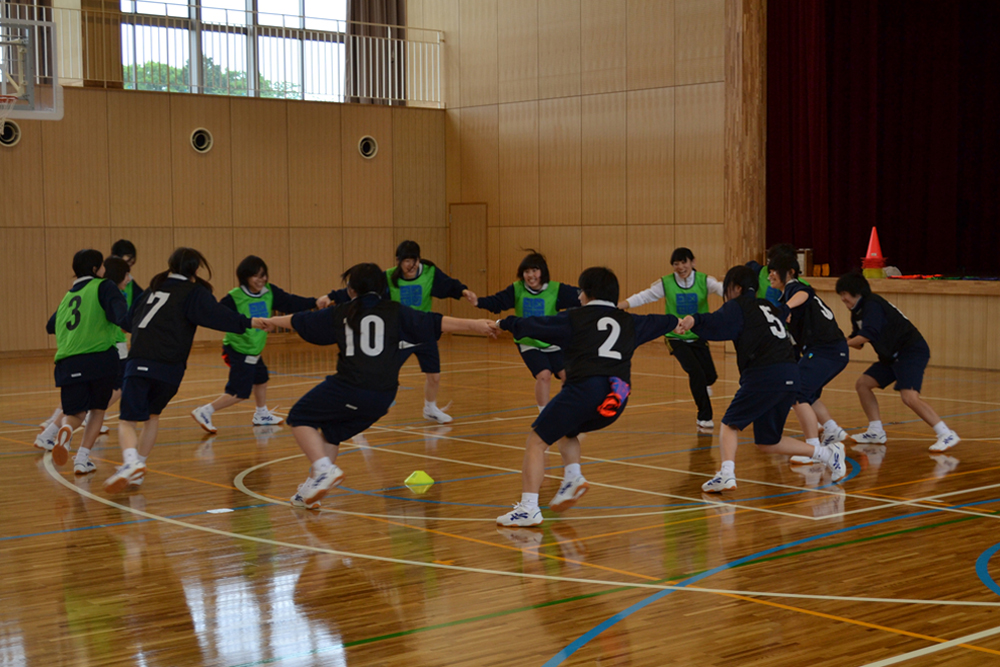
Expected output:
{"points": [[574, 411]]}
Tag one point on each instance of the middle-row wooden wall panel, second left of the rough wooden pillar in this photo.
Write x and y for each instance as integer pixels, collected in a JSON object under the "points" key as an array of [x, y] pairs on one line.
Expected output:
{"points": [[651, 156]]}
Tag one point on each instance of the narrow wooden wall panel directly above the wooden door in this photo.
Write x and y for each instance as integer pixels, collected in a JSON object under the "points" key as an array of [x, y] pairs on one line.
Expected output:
{"points": [[480, 155]]}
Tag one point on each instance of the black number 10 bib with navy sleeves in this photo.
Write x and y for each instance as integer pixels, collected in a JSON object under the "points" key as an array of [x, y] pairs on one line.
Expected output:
{"points": [[369, 358]]}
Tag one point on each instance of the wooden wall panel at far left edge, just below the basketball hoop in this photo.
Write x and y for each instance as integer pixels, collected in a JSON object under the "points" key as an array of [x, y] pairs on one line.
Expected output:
{"points": [[22, 175]]}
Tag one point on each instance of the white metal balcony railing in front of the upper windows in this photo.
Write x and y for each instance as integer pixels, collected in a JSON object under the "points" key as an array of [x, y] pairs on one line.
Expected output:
{"points": [[199, 49]]}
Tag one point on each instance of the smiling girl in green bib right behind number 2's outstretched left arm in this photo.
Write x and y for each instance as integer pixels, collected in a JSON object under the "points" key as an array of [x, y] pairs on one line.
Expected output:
{"points": [[532, 295]]}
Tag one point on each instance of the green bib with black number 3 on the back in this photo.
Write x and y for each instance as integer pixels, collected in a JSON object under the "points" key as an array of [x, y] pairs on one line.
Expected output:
{"points": [[82, 326]]}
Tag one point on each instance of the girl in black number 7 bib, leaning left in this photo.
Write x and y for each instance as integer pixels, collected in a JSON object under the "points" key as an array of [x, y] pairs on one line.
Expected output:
{"points": [[177, 302]]}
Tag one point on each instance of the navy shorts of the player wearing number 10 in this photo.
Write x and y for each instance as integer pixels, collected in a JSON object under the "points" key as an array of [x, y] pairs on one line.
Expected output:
{"points": [[339, 410]]}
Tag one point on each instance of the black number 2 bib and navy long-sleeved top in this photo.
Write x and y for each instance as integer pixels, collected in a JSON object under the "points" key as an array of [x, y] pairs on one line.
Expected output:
{"points": [[597, 339]]}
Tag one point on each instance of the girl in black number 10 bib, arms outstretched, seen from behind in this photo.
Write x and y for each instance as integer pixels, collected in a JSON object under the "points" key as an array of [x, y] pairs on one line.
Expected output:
{"points": [[368, 330]]}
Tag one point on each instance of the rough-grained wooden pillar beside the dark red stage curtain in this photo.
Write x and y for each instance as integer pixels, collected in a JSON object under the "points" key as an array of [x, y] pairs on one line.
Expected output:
{"points": [[746, 130]]}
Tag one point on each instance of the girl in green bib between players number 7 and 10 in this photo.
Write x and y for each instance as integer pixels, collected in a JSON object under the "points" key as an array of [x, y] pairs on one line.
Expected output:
{"points": [[254, 297]]}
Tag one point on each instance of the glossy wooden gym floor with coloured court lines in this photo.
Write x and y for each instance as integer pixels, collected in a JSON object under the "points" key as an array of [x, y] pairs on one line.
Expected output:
{"points": [[208, 565]]}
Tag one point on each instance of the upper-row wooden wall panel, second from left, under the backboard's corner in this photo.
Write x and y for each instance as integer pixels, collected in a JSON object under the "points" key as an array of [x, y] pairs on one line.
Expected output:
{"points": [[75, 154]]}
